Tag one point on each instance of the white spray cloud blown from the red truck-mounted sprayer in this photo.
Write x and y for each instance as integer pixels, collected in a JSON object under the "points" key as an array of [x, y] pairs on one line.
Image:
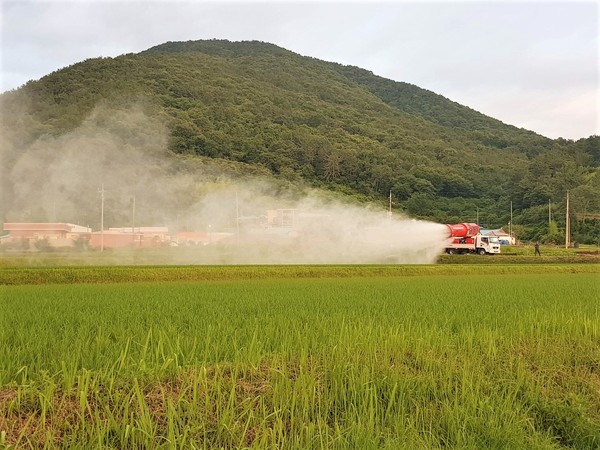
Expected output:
{"points": [[244, 219]]}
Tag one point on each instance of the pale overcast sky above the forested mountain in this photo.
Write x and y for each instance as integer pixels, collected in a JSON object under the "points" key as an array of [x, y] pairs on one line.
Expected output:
{"points": [[530, 64]]}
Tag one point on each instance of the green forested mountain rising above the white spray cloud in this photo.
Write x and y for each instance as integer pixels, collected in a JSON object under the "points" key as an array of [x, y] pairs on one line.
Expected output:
{"points": [[260, 108]]}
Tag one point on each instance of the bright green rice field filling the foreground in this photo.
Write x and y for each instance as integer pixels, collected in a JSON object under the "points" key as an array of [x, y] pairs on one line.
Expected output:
{"points": [[301, 357]]}
